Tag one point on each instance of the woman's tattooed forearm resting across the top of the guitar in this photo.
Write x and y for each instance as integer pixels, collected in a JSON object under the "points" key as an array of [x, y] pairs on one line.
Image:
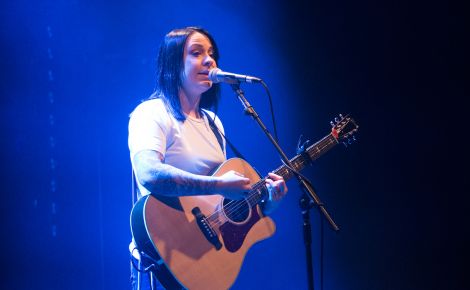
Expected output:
{"points": [[165, 179]]}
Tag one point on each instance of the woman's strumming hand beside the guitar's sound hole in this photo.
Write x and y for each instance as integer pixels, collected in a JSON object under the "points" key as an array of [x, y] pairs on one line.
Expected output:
{"points": [[233, 185]]}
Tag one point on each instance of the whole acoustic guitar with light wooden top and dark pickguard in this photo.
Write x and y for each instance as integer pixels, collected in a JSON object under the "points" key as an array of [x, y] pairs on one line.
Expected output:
{"points": [[199, 242]]}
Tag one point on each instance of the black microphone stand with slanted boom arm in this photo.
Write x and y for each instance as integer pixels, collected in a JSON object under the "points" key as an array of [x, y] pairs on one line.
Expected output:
{"points": [[309, 197]]}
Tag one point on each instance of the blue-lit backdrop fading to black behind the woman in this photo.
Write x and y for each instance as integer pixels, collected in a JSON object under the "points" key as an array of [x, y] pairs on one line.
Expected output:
{"points": [[72, 71]]}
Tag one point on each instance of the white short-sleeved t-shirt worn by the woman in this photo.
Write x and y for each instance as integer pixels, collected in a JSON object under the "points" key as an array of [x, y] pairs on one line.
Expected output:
{"points": [[190, 145]]}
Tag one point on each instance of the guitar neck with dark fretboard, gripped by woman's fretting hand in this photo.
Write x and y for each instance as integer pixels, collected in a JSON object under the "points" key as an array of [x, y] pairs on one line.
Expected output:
{"points": [[313, 152]]}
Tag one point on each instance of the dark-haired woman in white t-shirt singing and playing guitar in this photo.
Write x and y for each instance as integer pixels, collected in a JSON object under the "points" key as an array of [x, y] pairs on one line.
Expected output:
{"points": [[172, 146]]}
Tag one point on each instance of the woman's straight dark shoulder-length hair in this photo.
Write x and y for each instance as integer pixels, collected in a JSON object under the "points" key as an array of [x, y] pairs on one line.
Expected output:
{"points": [[169, 70]]}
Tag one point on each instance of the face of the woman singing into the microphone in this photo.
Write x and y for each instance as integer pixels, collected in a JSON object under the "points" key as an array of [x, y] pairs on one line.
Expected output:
{"points": [[197, 59]]}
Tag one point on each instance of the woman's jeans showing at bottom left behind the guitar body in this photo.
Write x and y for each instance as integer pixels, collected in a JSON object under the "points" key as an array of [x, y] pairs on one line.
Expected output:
{"points": [[141, 280]]}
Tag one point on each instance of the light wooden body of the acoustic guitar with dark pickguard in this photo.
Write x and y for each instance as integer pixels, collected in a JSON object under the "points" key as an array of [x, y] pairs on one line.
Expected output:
{"points": [[167, 229]]}
